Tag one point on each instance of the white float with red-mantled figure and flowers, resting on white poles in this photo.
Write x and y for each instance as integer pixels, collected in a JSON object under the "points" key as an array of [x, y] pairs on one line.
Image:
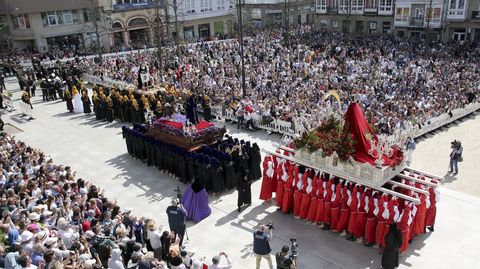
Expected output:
{"points": [[348, 148]]}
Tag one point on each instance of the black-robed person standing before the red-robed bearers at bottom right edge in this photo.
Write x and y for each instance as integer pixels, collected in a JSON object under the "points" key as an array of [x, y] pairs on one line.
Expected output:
{"points": [[393, 241]]}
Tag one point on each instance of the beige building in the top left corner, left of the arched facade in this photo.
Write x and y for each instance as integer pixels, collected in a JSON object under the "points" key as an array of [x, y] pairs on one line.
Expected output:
{"points": [[50, 23]]}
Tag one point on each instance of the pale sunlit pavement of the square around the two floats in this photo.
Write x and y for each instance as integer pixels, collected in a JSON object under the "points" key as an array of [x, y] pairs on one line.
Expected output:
{"points": [[97, 152]]}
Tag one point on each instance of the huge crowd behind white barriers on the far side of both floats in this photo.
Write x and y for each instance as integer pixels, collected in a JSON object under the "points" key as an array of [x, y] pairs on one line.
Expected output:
{"points": [[399, 82]]}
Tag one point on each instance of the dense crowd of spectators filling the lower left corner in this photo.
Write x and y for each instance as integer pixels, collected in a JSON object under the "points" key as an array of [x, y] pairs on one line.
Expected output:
{"points": [[50, 218]]}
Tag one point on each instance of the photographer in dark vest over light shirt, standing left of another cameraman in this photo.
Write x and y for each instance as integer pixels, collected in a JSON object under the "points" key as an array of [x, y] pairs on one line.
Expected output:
{"points": [[261, 244]]}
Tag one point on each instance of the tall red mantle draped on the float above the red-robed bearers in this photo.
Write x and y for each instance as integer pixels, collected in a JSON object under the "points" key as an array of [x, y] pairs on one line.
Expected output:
{"points": [[357, 125]]}
